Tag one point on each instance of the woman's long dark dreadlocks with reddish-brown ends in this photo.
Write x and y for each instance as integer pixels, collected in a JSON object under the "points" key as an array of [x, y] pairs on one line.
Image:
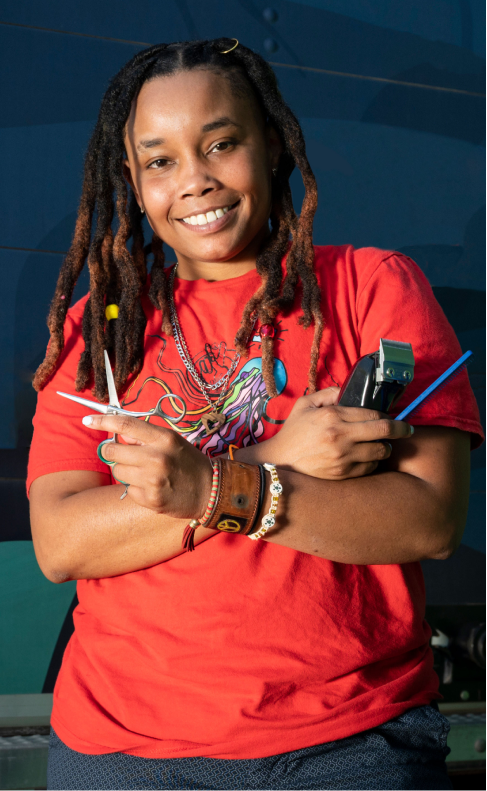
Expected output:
{"points": [[118, 275]]}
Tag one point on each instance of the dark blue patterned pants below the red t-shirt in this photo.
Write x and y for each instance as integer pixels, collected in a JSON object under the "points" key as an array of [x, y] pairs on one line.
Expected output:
{"points": [[405, 754]]}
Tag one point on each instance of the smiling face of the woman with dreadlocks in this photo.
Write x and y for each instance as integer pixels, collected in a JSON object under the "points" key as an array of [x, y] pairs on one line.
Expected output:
{"points": [[199, 159]]}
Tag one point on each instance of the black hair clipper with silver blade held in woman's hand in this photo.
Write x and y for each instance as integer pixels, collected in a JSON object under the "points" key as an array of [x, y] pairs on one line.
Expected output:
{"points": [[378, 380]]}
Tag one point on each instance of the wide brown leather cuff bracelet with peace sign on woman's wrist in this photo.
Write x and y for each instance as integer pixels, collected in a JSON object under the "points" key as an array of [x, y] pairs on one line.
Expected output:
{"points": [[238, 499]]}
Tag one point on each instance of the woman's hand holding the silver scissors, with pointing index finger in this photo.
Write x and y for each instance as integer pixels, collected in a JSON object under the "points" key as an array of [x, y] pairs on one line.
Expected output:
{"points": [[165, 472]]}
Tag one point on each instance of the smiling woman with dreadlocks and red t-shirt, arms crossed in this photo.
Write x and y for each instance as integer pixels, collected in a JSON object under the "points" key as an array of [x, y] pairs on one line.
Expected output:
{"points": [[299, 660]]}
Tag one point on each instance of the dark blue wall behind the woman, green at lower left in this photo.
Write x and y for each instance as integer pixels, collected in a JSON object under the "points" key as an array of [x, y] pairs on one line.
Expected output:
{"points": [[390, 96]]}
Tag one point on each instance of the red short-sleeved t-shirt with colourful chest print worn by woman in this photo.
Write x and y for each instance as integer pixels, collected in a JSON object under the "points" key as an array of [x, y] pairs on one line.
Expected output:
{"points": [[247, 649]]}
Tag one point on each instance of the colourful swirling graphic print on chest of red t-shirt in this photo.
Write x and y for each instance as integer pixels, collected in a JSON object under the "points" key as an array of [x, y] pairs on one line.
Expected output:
{"points": [[244, 405]]}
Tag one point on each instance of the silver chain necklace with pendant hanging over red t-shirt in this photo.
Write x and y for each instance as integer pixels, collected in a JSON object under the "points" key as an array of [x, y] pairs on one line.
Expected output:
{"points": [[214, 419]]}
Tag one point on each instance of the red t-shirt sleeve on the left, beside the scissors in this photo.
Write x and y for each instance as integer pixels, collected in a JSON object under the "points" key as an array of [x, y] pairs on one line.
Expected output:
{"points": [[60, 441]]}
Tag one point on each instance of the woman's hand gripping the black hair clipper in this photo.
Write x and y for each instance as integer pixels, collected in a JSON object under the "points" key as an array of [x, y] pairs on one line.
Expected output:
{"points": [[332, 442]]}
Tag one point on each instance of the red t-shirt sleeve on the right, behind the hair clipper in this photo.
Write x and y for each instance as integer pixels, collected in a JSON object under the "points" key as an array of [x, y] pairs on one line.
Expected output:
{"points": [[397, 302]]}
